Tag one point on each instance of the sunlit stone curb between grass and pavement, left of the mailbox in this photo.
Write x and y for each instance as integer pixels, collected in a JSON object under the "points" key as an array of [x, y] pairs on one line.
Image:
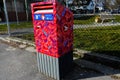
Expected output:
{"points": [[22, 44]]}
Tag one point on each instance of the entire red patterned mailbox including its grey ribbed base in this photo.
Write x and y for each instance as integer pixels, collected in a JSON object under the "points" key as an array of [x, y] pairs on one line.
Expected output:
{"points": [[53, 31]]}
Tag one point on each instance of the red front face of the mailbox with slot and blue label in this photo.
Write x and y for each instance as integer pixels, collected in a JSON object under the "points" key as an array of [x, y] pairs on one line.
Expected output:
{"points": [[45, 30]]}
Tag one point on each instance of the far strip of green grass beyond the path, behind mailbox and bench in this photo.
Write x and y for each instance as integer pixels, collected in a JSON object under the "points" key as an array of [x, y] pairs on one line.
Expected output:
{"points": [[82, 20]]}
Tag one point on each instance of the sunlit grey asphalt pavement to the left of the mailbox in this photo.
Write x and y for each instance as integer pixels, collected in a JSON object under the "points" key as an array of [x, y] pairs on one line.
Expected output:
{"points": [[17, 64]]}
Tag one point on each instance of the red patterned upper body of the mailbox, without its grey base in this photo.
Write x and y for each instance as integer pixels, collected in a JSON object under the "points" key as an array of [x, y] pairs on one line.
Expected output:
{"points": [[53, 28]]}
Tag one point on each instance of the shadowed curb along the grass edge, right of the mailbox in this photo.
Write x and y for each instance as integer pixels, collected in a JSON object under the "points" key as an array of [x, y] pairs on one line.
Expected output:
{"points": [[107, 60]]}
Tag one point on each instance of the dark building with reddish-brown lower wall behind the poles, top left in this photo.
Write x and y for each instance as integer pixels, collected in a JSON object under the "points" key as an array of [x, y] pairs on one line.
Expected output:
{"points": [[17, 9]]}
